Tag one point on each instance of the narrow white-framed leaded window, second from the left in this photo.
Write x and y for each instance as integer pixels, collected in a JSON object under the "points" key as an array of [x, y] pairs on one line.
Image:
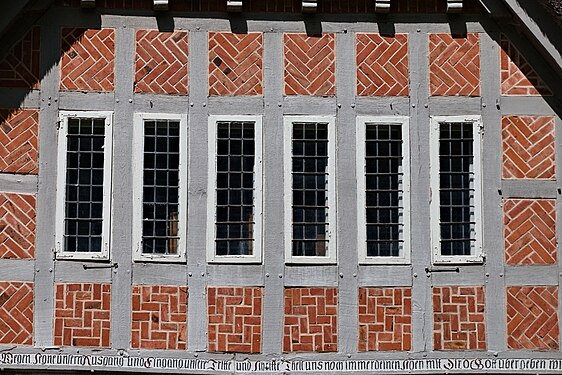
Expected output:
{"points": [[159, 184]]}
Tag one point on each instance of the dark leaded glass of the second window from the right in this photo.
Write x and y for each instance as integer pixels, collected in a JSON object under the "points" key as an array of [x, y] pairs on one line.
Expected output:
{"points": [[384, 177]]}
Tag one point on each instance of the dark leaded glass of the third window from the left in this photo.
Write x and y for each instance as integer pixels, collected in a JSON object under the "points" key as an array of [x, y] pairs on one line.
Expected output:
{"points": [[235, 188]]}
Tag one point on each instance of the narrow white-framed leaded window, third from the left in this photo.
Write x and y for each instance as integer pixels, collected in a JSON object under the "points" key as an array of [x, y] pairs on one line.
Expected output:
{"points": [[237, 189]]}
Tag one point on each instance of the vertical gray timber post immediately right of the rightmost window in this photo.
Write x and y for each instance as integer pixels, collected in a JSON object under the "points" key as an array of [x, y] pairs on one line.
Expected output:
{"points": [[493, 245]]}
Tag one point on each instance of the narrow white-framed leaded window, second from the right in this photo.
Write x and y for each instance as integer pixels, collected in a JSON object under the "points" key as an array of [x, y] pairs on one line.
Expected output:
{"points": [[383, 190]]}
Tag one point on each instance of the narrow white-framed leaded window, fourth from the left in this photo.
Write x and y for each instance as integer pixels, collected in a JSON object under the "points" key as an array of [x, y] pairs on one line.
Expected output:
{"points": [[310, 190]]}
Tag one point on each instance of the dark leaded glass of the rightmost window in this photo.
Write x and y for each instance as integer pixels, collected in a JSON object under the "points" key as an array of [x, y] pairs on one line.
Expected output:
{"points": [[456, 188]]}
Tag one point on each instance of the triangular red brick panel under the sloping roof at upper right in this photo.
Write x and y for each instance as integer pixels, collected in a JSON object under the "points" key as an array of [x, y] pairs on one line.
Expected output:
{"points": [[517, 76]]}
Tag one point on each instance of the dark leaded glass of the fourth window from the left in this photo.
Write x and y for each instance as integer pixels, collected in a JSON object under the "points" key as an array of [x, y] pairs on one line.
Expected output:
{"points": [[310, 189]]}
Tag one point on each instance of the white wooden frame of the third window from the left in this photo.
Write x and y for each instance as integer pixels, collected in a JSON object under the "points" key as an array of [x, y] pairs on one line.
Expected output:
{"points": [[256, 257]]}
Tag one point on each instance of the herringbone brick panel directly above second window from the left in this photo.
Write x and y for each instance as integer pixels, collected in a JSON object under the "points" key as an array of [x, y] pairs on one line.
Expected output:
{"points": [[161, 62]]}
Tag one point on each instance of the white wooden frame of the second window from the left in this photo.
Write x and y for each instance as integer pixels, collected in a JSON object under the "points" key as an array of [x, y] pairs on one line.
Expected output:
{"points": [[138, 168]]}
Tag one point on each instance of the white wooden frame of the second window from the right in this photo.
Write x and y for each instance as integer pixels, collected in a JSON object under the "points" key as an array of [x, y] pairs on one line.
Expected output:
{"points": [[404, 254]]}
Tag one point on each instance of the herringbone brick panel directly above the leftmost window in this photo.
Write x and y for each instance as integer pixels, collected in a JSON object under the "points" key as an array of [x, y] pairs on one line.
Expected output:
{"points": [[87, 60]]}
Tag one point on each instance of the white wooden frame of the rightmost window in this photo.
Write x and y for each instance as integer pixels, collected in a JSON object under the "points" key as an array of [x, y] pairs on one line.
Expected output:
{"points": [[478, 129]]}
